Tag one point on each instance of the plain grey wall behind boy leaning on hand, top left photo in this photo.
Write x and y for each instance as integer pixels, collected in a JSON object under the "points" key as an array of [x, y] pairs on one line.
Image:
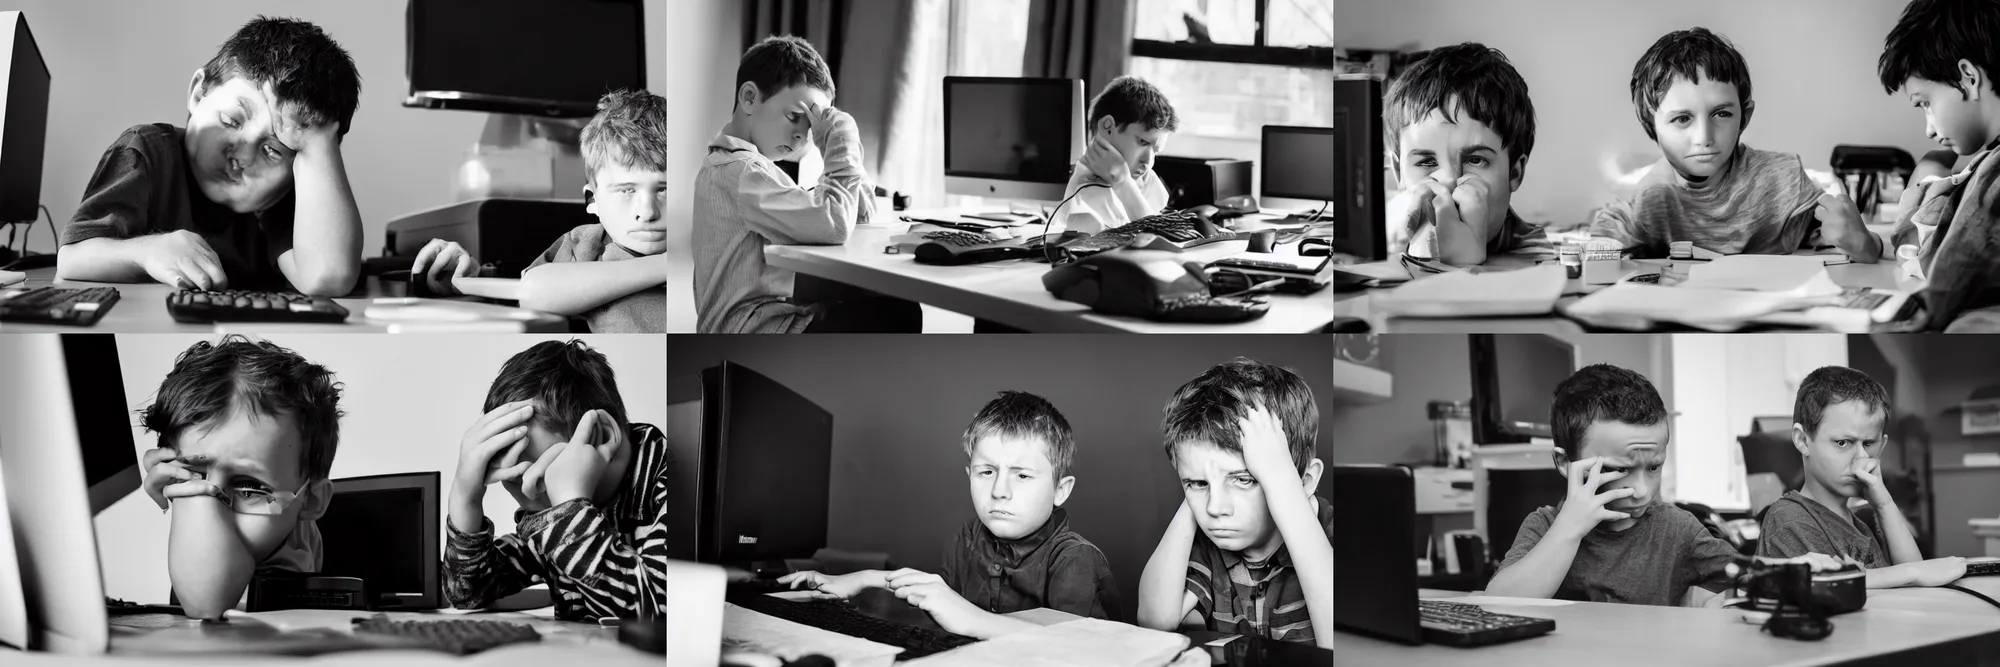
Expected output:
{"points": [[125, 63]]}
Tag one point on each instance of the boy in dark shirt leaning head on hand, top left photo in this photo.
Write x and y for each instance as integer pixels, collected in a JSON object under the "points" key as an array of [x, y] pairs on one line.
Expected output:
{"points": [[251, 195]]}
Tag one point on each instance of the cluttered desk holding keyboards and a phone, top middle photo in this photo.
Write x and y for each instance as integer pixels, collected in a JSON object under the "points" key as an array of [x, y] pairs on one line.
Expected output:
{"points": [[1011, 293]]}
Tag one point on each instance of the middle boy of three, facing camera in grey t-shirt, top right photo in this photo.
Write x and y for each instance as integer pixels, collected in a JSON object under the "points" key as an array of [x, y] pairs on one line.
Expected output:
{"points": [[1691, 93]]}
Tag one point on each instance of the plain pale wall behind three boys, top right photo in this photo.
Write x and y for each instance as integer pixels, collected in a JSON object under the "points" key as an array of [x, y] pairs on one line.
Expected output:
{"points": [[1813, 71]]}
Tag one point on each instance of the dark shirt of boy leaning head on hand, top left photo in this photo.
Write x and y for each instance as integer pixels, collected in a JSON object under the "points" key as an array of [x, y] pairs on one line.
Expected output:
{"points": [[145, 187]]}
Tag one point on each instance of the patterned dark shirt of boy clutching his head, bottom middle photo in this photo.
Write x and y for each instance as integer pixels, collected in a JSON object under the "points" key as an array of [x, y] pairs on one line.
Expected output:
{"points": [[1263, 600]]}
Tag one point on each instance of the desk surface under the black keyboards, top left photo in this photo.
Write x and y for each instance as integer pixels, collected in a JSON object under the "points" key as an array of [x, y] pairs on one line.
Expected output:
{"points": [[143, 311]]}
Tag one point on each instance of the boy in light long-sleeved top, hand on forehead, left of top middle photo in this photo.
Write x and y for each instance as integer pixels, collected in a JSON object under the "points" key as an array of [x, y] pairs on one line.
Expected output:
{"points": [[743, 203]]}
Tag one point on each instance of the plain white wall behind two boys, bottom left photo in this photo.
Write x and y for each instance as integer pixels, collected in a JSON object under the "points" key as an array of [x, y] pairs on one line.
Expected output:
{"points": [[407, 400]]}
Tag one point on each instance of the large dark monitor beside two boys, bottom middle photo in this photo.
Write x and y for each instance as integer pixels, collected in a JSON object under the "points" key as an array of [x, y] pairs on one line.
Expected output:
{"points": [[753, 466]]}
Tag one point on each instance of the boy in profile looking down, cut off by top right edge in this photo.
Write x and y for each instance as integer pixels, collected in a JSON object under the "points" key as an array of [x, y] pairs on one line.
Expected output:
{"points": [[1943, 59]]}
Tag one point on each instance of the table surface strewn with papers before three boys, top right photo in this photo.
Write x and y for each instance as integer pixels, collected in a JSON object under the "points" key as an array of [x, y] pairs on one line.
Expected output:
{"points": [[1885, 275]]}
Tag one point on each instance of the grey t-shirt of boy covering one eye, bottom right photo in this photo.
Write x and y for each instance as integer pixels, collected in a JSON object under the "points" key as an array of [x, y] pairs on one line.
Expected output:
{"points": [[1649, 564]]}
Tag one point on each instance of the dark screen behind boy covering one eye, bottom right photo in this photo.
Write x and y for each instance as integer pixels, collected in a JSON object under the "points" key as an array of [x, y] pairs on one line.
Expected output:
{"points": [[1515, 382]]}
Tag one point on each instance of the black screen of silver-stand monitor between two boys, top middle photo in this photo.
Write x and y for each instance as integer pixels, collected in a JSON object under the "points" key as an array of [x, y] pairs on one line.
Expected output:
{"points": [[1009, 129]]}
